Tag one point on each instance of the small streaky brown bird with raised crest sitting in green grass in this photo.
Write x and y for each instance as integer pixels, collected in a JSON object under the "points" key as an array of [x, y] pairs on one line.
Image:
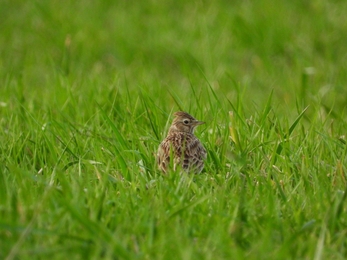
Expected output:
{"points": [[187, 151]]}
